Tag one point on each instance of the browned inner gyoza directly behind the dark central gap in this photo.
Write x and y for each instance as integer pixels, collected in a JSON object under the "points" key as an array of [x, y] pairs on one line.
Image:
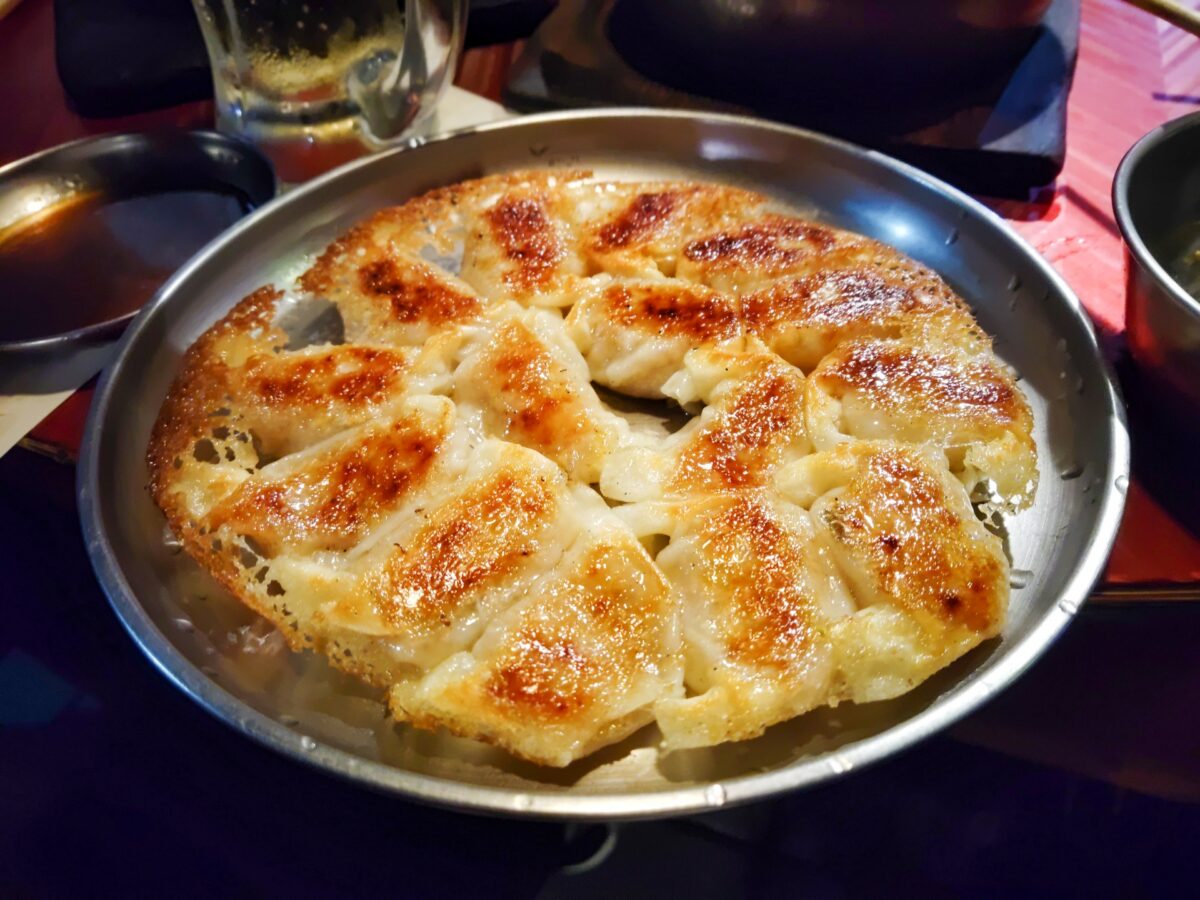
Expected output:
{"points": [[635, 334]]}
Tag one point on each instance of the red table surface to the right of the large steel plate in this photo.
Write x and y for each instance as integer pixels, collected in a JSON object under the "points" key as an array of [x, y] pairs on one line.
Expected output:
{"points": [[1135, 74]]}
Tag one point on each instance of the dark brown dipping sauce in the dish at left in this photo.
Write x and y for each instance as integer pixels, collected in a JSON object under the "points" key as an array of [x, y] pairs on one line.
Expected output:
{"points": [[97, 257]]}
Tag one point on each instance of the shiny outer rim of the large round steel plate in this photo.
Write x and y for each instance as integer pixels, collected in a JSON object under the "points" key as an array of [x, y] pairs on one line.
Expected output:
{"points": [[950, 709]]}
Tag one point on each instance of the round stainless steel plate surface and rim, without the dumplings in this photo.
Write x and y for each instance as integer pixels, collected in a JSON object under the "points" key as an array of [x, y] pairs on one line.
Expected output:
{"points": [[1059, 548]]}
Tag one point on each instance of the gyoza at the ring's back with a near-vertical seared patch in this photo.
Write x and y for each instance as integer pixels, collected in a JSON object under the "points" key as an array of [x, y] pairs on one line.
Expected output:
{"points": [[520, 243]]}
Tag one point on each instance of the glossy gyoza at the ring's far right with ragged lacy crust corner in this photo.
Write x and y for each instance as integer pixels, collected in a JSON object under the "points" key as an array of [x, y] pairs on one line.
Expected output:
{"points": [[969, 407]]}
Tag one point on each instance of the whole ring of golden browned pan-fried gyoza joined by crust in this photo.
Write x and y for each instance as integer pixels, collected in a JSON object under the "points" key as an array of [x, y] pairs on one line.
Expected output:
{"points": [[434, 494]]}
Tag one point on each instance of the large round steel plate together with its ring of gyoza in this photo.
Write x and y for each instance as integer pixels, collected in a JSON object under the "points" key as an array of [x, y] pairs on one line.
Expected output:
{"points": [[605, 465]]}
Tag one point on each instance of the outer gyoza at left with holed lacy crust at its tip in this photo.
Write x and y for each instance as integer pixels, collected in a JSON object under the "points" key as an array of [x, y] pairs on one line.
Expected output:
{"points": [[285, 538]]}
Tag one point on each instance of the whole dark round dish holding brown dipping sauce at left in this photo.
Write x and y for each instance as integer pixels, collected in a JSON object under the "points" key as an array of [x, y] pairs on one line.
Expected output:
{"points": [[89, 231]]}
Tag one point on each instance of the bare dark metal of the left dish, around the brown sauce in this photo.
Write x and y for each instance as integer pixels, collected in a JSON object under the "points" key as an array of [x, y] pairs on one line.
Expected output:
{"points": [[123, 165]]}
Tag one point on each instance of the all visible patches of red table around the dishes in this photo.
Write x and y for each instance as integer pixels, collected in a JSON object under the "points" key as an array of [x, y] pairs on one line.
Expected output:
{"points": [[1133, 74]]}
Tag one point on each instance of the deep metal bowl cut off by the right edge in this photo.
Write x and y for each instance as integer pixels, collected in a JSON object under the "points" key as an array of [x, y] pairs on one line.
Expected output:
{"points": [[1156, 194]]}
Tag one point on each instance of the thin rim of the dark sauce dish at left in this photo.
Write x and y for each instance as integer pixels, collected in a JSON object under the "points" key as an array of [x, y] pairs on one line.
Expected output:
{"points": [[101, 331]]}
